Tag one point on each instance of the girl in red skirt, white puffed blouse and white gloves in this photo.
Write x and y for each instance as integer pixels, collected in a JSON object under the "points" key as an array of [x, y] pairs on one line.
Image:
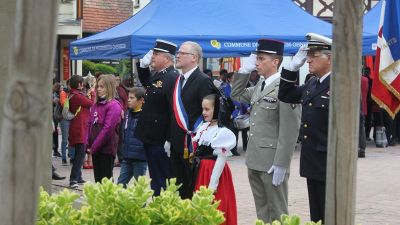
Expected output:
{"points": [[214, 144]]}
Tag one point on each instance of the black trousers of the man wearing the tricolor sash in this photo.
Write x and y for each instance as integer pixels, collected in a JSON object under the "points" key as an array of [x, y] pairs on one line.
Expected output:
{"points": [[180, 169]]}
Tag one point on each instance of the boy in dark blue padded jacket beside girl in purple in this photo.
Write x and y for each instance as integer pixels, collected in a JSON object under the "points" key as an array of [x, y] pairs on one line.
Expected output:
{"points": [[134, 163]]}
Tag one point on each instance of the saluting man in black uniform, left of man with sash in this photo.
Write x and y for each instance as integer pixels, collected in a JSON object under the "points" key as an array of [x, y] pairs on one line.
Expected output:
{"points": [[153, 124]]}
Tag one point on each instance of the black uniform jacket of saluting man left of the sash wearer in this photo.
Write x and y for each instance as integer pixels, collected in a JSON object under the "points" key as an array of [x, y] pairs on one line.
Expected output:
{"points": [[154, 121]]}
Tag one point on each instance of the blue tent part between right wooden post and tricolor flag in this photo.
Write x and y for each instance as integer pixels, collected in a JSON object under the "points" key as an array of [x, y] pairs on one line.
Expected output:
{"points": [[371, 26]]}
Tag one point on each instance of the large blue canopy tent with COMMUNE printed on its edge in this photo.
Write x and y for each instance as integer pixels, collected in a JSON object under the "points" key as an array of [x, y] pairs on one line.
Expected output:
{"points": [[223, 29]]}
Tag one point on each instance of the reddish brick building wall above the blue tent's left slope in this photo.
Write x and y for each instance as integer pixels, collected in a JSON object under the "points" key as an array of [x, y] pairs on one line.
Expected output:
{"points": [[98, 15]]}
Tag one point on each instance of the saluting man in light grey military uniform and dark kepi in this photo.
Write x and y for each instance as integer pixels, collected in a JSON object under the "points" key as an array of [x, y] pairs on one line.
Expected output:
{"points": [[274, 129]]}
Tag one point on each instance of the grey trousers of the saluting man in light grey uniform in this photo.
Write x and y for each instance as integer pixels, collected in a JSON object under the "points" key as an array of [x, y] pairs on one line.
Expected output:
{"points": [[271, 201]]}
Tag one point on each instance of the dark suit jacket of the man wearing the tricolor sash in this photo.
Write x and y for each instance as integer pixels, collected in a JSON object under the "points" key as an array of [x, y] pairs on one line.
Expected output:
{"points": [[195, 89]]}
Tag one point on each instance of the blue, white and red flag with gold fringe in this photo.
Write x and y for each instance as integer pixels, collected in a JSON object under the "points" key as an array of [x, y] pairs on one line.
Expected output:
{"points": [[386, 84]]}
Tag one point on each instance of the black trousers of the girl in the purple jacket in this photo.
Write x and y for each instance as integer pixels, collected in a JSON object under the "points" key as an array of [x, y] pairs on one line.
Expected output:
{"points": [[103, 165]]}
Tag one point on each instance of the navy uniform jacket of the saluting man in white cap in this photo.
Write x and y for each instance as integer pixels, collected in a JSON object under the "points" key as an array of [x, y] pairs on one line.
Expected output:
{"points": [[314, 121]]}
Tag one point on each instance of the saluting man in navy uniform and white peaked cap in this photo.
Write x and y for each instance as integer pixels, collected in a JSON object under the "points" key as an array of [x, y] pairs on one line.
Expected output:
{"points": [[314, 96]]}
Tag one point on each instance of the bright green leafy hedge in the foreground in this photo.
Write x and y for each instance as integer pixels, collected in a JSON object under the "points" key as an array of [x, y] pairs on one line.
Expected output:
{"points": [[110, 204]]}
